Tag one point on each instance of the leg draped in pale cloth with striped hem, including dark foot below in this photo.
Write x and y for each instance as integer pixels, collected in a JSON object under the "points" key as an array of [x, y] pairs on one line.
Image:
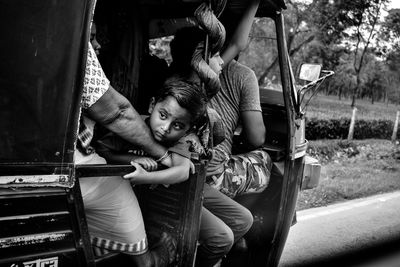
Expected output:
{"points": [[115, 222]]}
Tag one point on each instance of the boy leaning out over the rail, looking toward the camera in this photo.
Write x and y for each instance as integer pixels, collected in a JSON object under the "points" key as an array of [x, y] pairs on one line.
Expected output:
{"points": [[174, 115]]}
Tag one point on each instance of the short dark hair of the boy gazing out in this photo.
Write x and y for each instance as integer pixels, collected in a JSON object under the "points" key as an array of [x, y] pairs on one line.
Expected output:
{"points": [[188, 95]]}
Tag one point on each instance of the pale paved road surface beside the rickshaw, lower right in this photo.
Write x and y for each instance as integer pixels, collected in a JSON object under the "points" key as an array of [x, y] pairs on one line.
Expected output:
{"points": [[363, 233]]}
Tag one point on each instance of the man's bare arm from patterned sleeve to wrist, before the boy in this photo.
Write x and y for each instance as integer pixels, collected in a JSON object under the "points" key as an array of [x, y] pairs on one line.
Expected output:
{"points": [[116, 113]]}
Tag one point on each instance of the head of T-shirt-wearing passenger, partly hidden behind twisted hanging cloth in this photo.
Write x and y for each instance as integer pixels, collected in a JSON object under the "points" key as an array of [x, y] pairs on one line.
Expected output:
{"points": [[183, 46]]}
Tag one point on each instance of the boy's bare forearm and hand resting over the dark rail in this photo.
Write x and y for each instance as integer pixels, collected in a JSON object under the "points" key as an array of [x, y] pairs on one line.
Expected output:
{"points": [[178, 172]]}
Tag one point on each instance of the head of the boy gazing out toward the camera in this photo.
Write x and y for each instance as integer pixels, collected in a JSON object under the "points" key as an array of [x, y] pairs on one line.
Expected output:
{"points": [[175, 110]]}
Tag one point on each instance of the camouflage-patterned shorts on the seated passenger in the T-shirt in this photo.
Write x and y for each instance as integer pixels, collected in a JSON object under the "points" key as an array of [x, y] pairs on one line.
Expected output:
{"points": [[244, 173]]}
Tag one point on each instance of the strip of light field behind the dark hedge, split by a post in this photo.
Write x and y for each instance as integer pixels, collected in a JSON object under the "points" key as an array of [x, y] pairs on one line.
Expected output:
{"points": [[329, 107]]}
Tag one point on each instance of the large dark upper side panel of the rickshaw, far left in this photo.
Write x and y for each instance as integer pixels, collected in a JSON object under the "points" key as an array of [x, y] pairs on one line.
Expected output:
{"points": [[42, 63]]}
